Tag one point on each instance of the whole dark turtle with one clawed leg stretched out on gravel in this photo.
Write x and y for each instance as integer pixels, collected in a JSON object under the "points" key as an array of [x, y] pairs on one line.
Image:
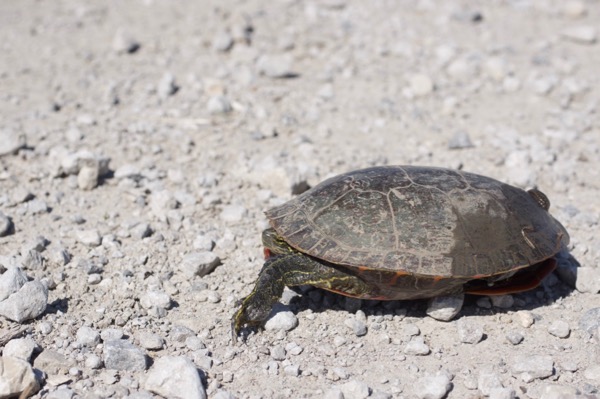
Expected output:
{"points": [[403, 233]]}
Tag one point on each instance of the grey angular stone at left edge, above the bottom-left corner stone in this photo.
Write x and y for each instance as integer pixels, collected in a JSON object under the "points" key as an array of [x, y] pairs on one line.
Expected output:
{"points": [[27, 303]]}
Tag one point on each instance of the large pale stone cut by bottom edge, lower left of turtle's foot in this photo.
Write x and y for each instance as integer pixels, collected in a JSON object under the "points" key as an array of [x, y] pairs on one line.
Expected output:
{"points": [[175, 377]]}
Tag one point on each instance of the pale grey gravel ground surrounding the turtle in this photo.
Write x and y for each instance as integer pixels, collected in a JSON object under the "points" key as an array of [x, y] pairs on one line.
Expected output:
{"points": [[141, 142]]}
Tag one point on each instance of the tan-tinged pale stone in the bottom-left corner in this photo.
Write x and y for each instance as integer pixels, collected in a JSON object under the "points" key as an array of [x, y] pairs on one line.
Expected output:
{"points": [[17, 377]]}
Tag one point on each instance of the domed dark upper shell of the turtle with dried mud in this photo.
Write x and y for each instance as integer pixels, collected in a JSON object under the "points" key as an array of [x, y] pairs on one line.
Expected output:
{"points": [[421, 221]]}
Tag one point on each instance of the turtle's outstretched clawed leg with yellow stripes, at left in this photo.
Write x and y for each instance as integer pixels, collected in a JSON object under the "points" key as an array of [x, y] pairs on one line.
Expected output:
{"points": [[291, 270]]}
